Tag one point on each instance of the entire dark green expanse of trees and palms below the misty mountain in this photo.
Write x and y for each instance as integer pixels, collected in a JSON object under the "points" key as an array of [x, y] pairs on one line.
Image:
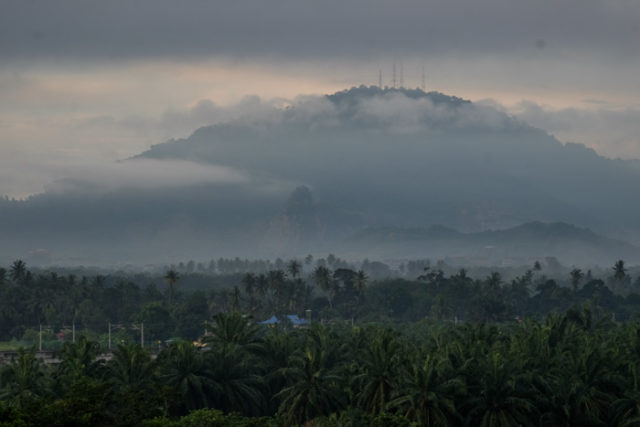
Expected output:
{"points": [[443, 349]]}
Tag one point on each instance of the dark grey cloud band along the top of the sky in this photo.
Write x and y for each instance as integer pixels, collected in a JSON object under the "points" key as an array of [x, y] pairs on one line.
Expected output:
{"points": [[81, 29]]}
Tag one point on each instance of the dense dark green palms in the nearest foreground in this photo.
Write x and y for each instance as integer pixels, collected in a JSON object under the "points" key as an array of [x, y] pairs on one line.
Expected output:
{"points": [[576, 369]]}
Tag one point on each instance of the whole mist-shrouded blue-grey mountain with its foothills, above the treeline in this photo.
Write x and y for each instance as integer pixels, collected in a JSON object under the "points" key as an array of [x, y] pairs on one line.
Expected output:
{"points": [[329, 173]]}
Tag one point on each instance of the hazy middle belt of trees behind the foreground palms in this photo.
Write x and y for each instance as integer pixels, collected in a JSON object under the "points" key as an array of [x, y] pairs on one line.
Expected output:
{"points": [[59, 303]]}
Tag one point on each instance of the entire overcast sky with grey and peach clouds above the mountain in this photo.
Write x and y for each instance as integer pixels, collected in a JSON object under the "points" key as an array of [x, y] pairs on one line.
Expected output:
{"points": [[85, 81]]}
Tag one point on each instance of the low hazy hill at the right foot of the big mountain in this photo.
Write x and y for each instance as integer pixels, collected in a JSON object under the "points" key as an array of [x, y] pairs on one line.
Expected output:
{"points": [[517, 246]]}
